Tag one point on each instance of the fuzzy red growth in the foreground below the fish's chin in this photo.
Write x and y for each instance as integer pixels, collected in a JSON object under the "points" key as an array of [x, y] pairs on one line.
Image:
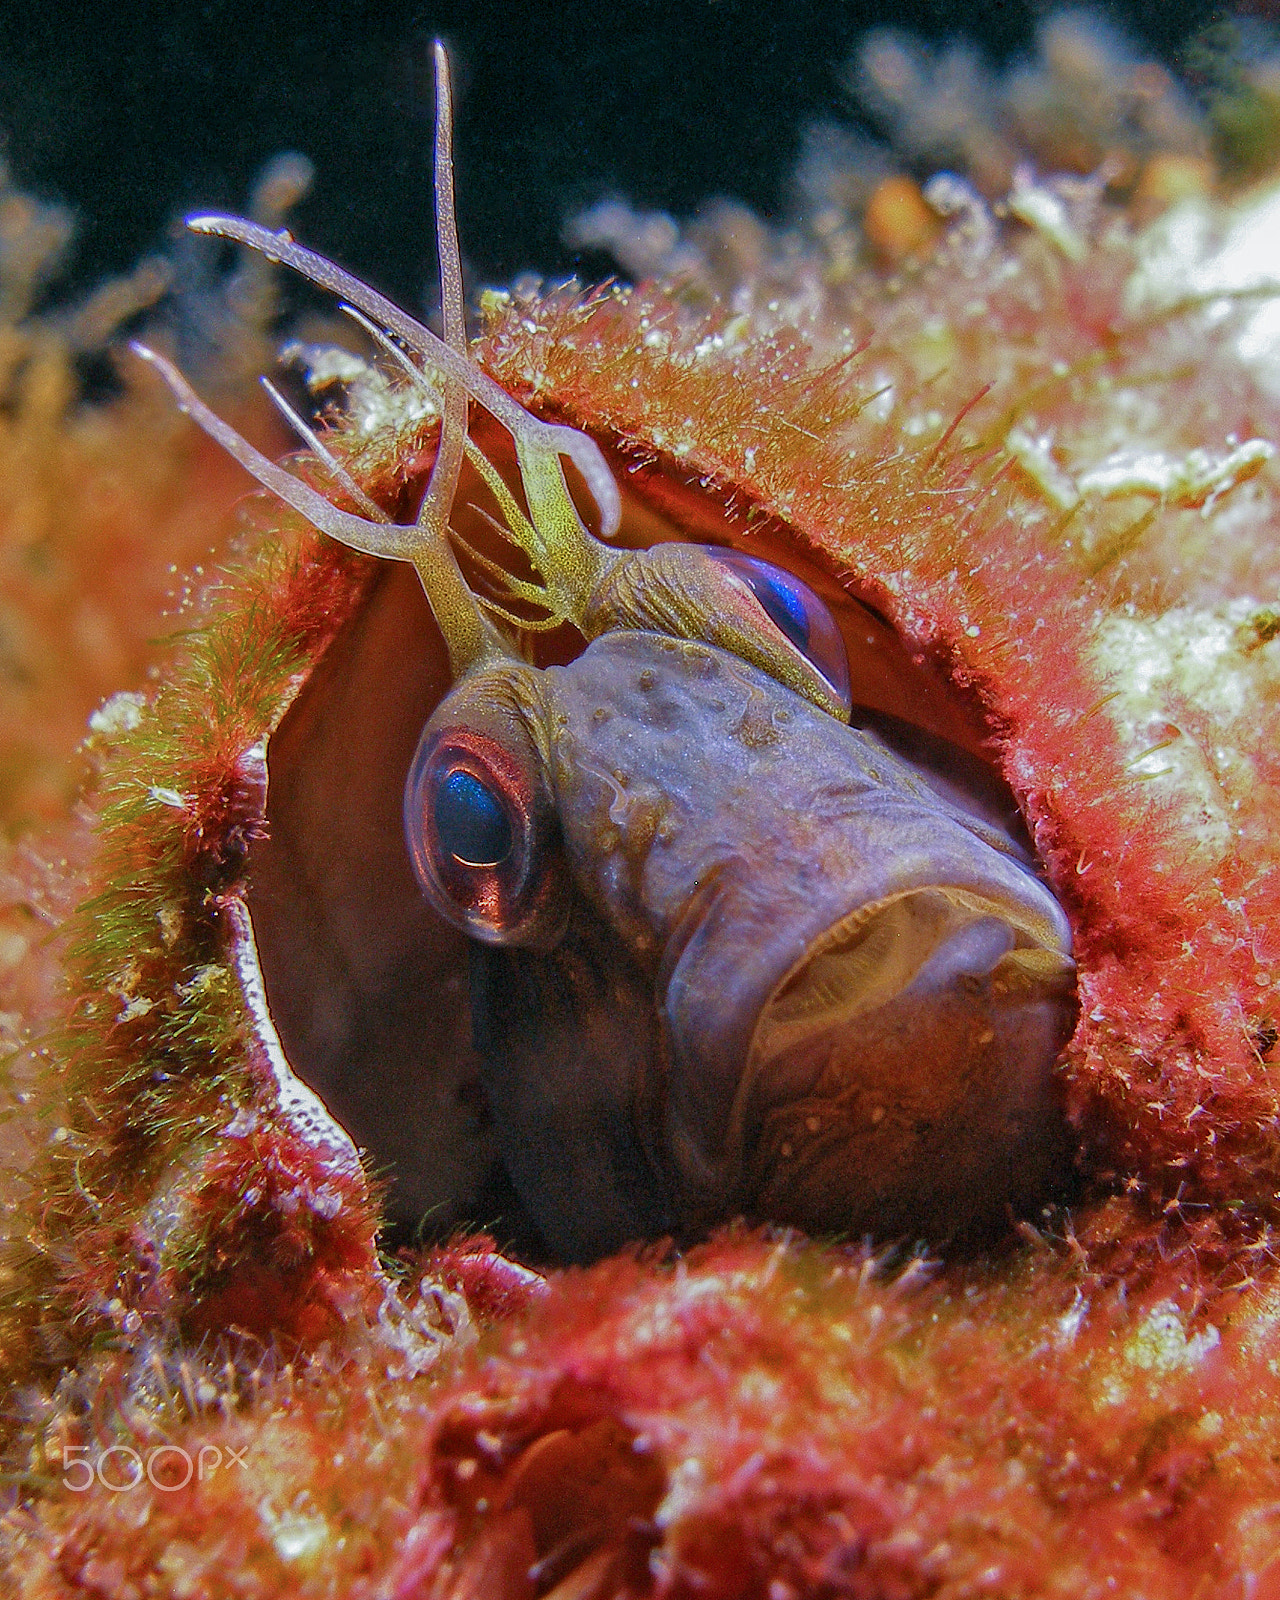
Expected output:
{"points": [[756, 1420]]}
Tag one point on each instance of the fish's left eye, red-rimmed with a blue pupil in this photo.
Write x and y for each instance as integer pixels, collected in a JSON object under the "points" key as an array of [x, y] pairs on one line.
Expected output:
{"points": [[482, 836]]}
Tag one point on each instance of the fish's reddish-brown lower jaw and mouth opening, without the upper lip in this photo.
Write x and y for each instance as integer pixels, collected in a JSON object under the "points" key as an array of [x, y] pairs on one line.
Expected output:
{"points": [[900, 1073]]}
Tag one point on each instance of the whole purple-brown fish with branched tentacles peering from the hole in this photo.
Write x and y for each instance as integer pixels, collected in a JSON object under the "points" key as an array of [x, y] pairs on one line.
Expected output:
{"points": [[730, 953]]}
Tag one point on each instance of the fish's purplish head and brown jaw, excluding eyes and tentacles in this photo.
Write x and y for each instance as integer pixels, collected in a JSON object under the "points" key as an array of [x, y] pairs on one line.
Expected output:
{"points": [[790, 978]]}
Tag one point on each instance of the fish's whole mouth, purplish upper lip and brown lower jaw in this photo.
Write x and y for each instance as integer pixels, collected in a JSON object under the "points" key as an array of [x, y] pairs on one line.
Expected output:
{"points": [[887, 1068]]}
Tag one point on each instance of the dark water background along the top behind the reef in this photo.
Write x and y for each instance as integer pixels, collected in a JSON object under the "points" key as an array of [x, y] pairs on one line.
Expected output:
{"points": [[138, 113]]}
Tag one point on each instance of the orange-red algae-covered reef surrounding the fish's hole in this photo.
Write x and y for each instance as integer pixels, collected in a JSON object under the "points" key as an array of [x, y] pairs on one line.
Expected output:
{"points": [[1025, 415]]}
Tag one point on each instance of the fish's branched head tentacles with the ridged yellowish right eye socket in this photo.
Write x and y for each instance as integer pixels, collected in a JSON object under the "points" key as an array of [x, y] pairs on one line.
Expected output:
{"points": [[681, 591]]}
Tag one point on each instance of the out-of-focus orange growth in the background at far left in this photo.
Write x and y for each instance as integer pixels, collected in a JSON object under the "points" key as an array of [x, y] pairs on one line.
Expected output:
{"points": [[110, 518]]}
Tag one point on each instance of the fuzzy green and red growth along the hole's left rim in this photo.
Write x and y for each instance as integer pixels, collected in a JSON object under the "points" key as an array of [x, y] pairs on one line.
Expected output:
{"points": [[154, 970]]}
